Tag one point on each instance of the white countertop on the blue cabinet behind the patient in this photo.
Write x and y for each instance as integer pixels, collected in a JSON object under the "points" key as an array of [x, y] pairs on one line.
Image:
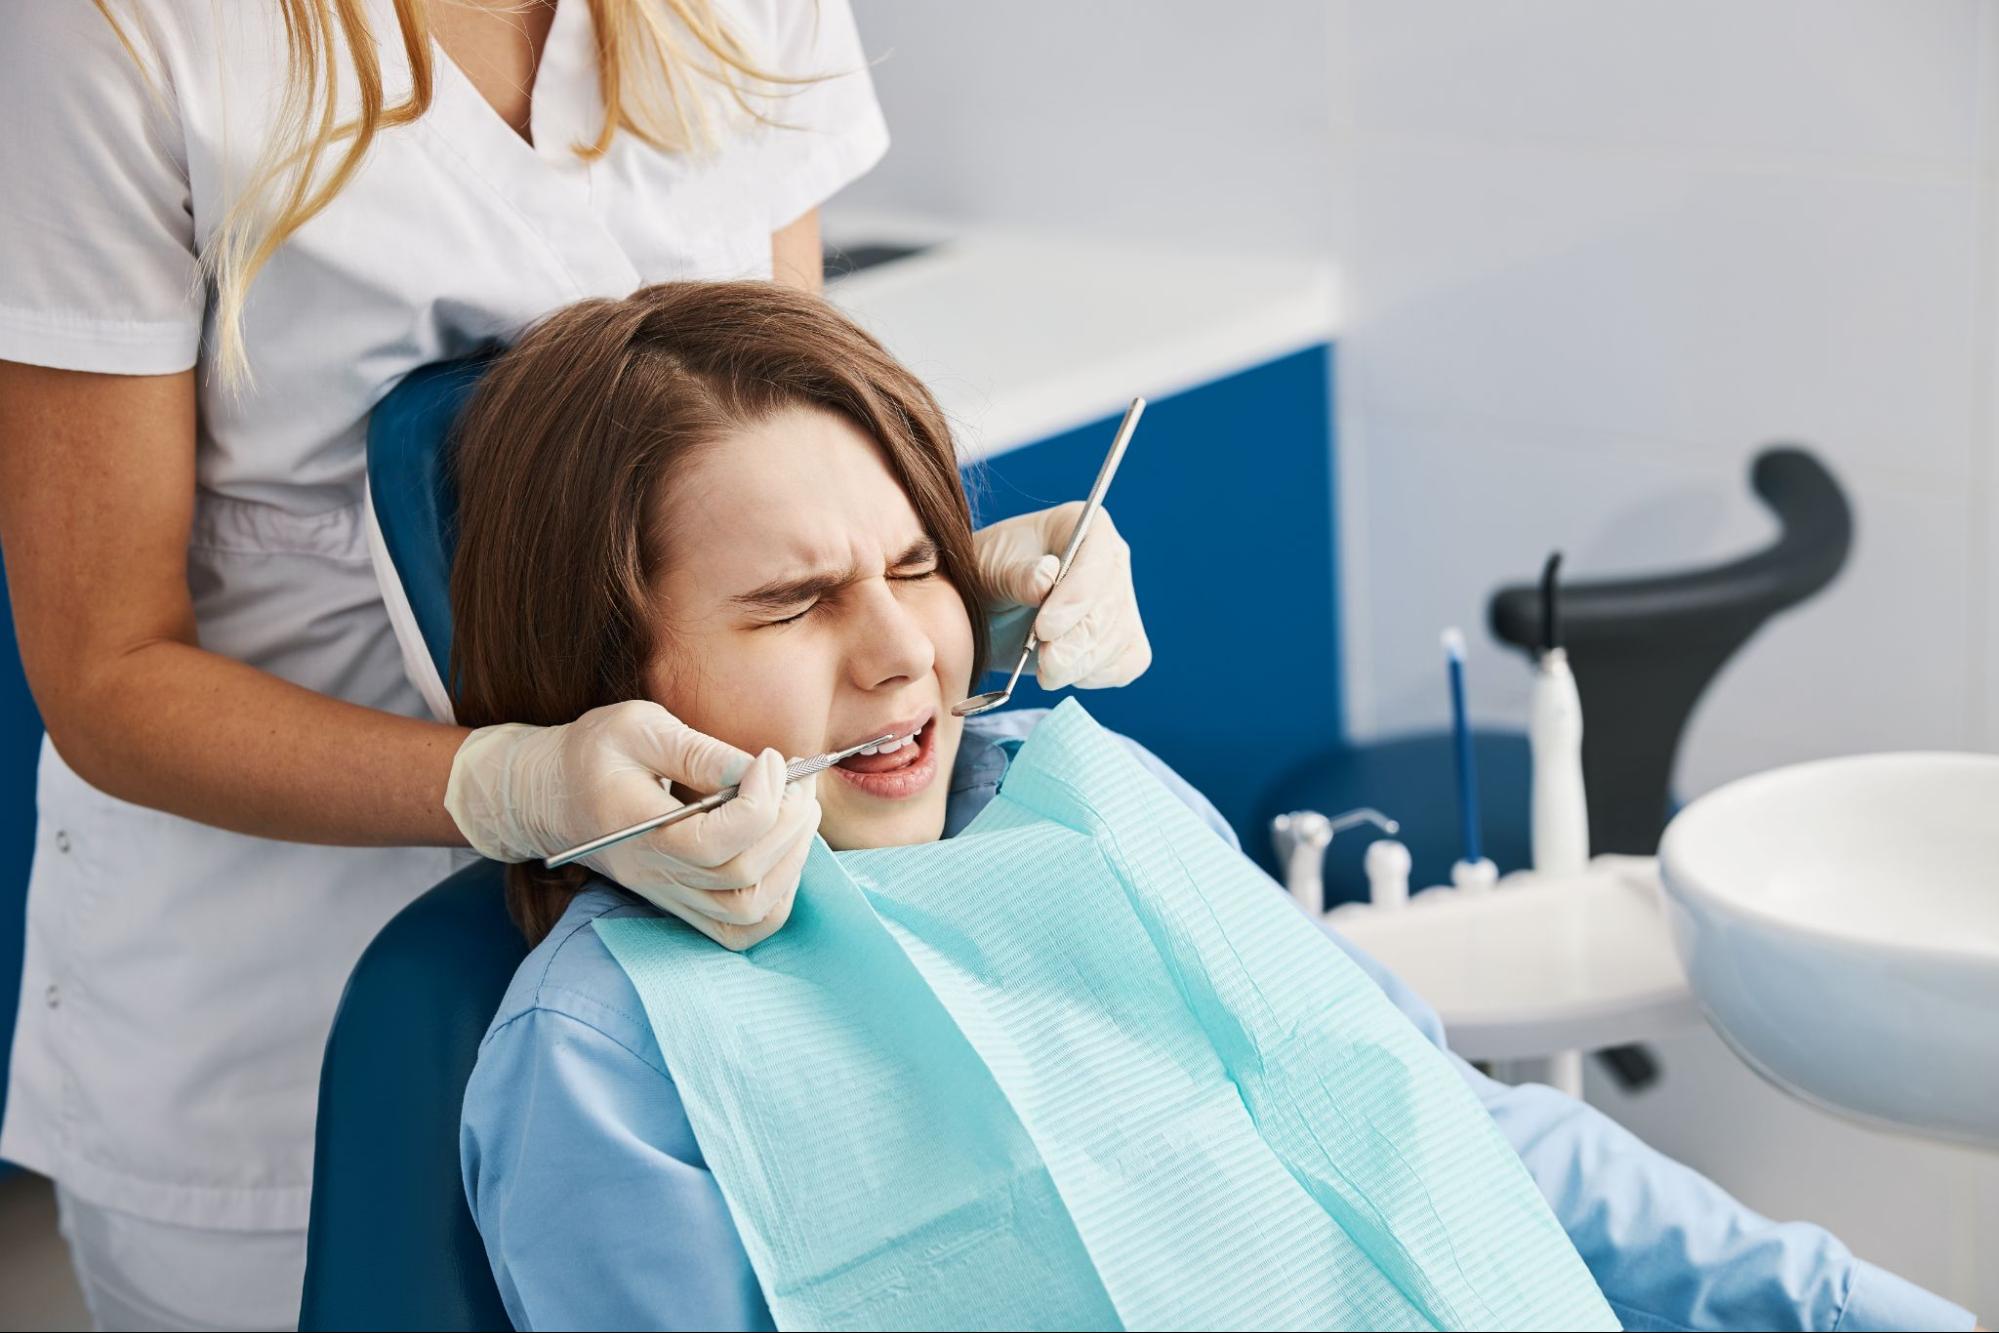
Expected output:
{"points": [[1024, 335]]}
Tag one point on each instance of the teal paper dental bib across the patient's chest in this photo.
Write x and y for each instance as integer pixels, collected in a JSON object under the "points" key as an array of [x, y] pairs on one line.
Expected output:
{"points": [[1084, 1068]]}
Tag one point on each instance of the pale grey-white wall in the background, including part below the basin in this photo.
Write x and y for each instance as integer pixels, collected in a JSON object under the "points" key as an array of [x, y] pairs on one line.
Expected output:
{"points": [[1594, 255]]}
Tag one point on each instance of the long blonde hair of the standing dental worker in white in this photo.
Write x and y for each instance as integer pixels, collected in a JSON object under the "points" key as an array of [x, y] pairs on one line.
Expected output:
{"points": [[651, 79]]}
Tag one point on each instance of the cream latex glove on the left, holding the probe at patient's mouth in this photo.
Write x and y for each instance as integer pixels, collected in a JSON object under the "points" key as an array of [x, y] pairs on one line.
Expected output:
{"points": [[523, 794]]}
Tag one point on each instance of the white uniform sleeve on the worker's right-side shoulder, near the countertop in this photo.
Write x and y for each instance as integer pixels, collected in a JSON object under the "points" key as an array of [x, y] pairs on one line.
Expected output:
{"points": [[831, 131]]}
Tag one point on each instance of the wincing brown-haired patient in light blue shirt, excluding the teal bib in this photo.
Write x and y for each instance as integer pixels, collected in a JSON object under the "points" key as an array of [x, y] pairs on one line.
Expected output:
{"points": [[745, 511]]}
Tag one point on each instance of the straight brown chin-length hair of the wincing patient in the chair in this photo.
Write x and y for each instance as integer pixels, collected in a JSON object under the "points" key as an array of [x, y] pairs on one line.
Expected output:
{"points": [[561, 463]]}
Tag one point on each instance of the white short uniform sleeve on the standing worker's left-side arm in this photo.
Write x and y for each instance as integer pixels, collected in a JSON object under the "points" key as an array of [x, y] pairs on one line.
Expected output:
{"points": [[97, 231]]}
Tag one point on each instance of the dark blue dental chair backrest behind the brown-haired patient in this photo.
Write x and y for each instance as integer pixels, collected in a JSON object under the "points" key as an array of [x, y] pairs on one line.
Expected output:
{"points": [[391, 1242]]}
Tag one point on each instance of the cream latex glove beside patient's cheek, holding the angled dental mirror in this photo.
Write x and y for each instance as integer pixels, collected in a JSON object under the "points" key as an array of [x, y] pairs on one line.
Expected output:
{"points": [[1090, 633]]}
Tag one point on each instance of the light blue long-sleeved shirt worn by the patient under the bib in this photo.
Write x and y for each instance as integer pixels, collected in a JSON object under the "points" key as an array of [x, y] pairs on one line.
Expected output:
{"points": [[601, 1214]]}
